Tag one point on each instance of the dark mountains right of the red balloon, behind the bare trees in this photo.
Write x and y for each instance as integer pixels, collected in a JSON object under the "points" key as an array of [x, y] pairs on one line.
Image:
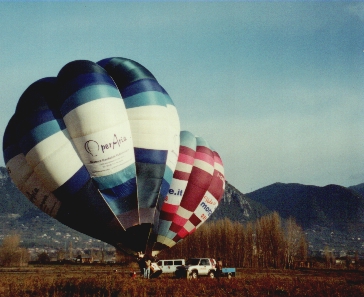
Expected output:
{"points": [[331, 216]]}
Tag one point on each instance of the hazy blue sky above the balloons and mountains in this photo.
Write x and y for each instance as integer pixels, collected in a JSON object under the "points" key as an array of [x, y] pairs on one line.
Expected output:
{"points": [[276, 88]]}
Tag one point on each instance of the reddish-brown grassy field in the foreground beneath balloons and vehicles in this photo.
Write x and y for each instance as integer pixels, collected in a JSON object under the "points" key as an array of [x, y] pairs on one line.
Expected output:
{"points": [[61, 281]]}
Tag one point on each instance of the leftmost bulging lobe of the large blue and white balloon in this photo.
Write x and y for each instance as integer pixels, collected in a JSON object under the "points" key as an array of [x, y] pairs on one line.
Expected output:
{"points": [[43, 164]]}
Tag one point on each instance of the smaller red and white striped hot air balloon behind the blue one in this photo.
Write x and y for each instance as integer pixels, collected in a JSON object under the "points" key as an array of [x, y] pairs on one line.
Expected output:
{"points": [[198, 185]]}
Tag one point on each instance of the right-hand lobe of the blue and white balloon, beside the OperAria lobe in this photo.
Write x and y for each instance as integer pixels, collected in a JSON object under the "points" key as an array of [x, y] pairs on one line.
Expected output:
{"points": [[155, 127]]}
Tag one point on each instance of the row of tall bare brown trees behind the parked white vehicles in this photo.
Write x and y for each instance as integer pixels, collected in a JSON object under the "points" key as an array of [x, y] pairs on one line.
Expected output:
{"points": [[270, 242]]}
